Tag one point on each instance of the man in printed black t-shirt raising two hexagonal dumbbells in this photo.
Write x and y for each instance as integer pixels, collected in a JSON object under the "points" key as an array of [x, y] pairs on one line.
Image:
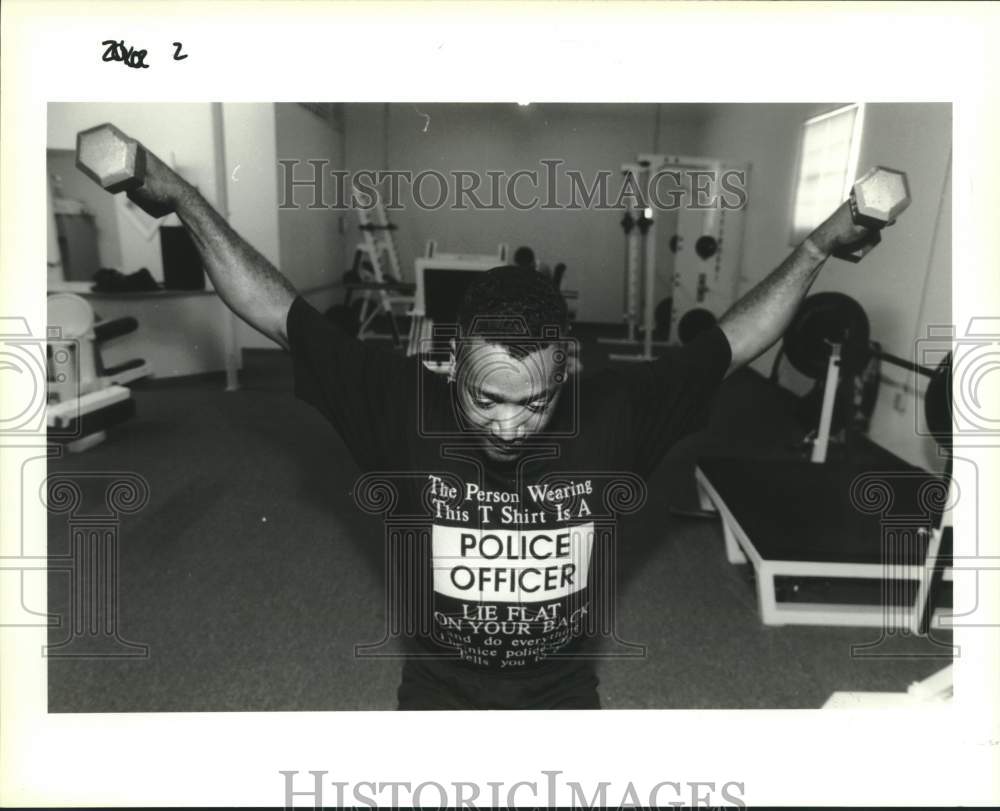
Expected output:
{"points": [[509, 471]]}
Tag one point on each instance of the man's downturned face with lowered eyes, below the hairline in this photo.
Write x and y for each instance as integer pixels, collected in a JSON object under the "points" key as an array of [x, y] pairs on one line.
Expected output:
{"points": [[508, 399]]}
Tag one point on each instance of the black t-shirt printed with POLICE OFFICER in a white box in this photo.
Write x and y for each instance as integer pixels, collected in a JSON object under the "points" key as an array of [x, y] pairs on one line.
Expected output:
{"points": [[501, 569]]}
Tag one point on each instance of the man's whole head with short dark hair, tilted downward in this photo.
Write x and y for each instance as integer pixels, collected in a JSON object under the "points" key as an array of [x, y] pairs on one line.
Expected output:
{"points": [[510, 363]]}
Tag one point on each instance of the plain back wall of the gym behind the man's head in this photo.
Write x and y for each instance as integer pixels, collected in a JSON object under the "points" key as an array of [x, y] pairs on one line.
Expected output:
{"points": [[480, 137]]}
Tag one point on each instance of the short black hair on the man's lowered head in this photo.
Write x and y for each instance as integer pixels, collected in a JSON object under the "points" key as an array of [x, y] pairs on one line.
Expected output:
{"points": [[513, 306]]}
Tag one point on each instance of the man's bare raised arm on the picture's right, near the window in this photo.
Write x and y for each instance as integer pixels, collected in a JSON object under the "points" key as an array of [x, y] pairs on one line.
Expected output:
{"points": [[761, 316]]}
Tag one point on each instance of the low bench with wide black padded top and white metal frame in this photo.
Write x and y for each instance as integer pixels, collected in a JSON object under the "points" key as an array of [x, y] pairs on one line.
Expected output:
{"points": [[829, 544]]}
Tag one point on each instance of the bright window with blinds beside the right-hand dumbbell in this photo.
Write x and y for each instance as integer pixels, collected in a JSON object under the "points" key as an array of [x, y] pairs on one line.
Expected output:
{"points": [[828, 164]]}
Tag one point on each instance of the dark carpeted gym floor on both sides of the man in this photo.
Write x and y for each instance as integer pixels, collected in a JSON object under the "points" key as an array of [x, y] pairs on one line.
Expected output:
{"points": [[251, 575]]}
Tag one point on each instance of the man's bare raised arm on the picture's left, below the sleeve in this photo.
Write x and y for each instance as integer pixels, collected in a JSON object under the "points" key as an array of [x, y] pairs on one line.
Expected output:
{"points": [[248, 284]]}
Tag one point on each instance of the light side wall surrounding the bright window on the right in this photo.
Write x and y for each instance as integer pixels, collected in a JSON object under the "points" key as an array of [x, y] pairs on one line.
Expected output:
{"points": [[891, 281]]}
